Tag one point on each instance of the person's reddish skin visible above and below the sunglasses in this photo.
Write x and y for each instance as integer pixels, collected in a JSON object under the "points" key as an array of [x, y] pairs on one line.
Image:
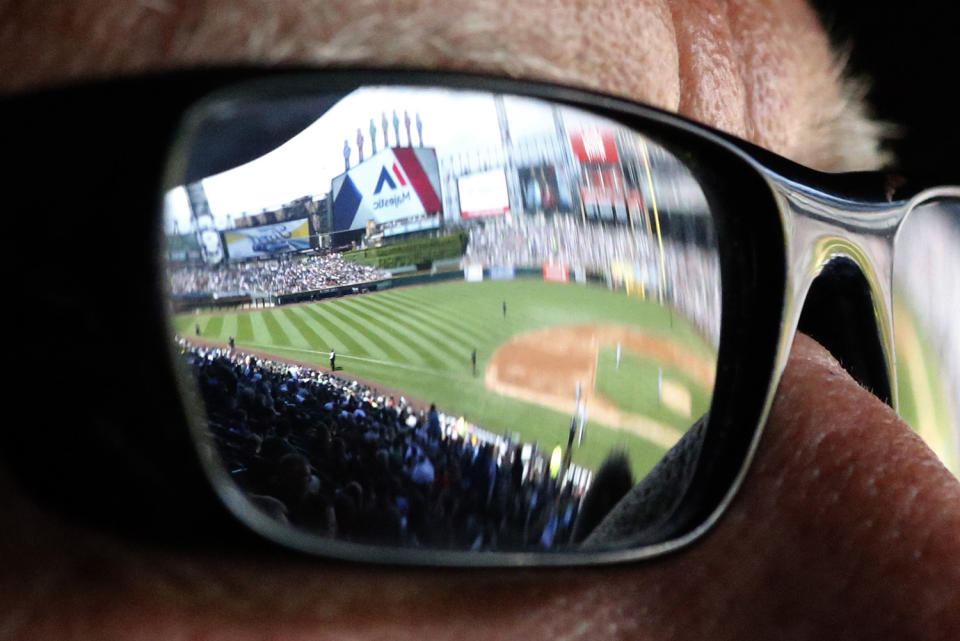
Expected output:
{"points": [[846, 524]]}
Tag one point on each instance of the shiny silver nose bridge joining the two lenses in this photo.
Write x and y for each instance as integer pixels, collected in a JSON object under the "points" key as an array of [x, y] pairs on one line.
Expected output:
{"points": [[839, 279]]}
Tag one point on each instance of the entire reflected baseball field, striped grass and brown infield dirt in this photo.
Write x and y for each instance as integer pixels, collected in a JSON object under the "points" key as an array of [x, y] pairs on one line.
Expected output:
{"points": [[554, 339]]}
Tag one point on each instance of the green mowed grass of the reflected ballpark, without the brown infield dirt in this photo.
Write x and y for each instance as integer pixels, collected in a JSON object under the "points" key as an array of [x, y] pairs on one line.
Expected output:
{"points": [[419, 340]]}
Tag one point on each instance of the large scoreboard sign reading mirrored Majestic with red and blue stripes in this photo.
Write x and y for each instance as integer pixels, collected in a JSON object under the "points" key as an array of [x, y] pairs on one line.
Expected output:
{"points": [[395, 184]]}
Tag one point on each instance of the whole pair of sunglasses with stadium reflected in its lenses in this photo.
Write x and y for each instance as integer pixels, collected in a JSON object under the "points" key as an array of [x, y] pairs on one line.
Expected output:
{"points": [[437, 319]]}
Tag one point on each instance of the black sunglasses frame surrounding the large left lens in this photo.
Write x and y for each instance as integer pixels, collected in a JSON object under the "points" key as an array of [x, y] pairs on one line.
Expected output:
{"points": [[109, 446]]}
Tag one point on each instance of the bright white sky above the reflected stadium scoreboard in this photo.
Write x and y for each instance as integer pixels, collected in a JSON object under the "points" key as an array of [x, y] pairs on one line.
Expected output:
{"points": [[454, 122]]}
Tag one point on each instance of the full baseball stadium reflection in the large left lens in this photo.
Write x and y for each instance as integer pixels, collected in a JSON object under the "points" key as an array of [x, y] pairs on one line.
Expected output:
{"points": [[442, 319]]}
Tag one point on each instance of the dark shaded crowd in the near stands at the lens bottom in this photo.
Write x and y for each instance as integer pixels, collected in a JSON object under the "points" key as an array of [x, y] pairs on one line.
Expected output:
{"points": [[340, 459]]}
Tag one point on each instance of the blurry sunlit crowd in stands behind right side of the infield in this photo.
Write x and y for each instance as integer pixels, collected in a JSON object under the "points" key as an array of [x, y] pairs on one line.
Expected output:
{"points": [[692, 274]]}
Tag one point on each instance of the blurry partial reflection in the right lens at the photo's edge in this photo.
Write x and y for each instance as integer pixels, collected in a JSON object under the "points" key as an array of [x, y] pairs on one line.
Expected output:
{"points": [[925, 317]]}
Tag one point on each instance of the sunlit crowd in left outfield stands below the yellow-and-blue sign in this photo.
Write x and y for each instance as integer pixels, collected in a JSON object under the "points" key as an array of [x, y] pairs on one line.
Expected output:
{"points": [[274, 277]]}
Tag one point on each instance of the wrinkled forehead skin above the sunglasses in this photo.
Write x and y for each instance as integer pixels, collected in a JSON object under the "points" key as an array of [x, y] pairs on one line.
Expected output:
{"points": [[760, 70]]}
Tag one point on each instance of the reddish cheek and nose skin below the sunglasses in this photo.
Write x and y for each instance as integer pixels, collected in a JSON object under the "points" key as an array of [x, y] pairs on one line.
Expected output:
{"points": [[843, 512]]}
